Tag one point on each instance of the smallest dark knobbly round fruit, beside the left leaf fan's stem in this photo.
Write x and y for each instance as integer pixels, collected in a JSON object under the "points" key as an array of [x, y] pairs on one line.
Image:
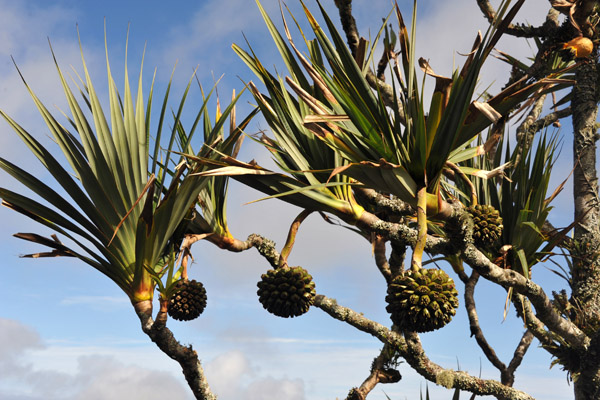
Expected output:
{"points": [[188, 301]]}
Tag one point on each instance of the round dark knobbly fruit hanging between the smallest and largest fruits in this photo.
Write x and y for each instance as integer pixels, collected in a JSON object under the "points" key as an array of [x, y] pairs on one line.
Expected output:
{"points": [[286, 291]]}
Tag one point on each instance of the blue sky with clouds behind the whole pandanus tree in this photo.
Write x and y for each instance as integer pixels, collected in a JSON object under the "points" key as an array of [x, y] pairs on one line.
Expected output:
{"points": [[67, 332]]}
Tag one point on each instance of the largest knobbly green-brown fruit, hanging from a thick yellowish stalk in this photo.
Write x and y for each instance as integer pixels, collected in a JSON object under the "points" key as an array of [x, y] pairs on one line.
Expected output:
{"points": [[422, 301]]}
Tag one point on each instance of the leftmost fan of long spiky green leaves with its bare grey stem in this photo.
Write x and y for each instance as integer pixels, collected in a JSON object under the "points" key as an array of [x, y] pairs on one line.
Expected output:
{"points": [[124, 207]]}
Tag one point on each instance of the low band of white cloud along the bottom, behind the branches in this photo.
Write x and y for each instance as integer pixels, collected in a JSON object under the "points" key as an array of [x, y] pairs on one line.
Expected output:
{"points": [[293, 368]]}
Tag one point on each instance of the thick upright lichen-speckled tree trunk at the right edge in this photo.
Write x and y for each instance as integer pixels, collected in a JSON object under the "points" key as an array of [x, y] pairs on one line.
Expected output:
{"points": [[586, 266]]}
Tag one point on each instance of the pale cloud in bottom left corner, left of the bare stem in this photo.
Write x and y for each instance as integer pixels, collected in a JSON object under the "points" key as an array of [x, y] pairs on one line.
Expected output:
{"points": [[94, 376]]}
